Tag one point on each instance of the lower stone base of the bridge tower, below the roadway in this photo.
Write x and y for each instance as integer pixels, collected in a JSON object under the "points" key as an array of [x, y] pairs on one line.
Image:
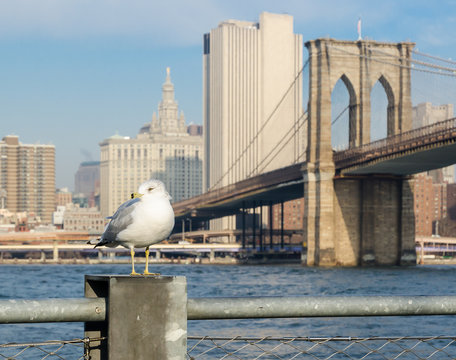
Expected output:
{"points": [[366, 221]]}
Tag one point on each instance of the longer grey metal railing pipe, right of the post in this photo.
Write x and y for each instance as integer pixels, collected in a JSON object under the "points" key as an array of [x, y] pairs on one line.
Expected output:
{"points": [[311, 306]]}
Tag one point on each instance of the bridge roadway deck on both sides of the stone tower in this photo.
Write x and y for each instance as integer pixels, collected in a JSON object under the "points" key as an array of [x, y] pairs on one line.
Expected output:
{"points": [[427, 148]]}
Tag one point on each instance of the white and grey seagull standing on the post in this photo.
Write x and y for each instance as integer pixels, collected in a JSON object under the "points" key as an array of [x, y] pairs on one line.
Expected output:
{"points": [[146, 219]]}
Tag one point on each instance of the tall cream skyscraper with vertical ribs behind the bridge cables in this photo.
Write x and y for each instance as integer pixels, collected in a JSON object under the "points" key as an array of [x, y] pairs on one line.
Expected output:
{"points": [[252, 99]]}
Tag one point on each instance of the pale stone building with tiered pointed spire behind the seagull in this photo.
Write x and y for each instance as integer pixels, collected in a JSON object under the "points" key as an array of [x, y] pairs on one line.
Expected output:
{"points": [[163, 149]]}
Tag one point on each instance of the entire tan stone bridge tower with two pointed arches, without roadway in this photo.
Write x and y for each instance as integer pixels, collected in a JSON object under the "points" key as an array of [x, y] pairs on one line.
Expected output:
{"points": [[353, 221]]}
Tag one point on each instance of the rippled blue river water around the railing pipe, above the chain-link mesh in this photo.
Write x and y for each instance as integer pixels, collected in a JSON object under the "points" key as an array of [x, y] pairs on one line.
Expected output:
{"points": [[67, 281]]}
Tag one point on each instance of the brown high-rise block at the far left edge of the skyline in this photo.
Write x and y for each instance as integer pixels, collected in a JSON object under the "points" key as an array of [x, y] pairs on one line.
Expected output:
{"points": [[28, 177]]}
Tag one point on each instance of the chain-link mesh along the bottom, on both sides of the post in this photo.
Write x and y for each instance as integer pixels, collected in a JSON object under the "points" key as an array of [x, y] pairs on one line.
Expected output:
{"points": [[239, 347]]}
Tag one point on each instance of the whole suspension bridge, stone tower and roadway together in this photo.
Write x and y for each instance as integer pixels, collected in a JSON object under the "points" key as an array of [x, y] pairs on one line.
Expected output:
{"points": [[358, 201]]}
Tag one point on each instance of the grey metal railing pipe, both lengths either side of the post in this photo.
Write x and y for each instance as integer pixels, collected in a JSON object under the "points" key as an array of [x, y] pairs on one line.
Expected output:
{"points": [[94, 309]]}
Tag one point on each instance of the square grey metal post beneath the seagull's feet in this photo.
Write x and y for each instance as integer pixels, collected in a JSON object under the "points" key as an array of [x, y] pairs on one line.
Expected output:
{"points": [[146, 317]]}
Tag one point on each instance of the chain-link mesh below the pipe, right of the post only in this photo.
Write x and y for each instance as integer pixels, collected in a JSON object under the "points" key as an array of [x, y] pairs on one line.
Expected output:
{"points": [[441, 347]]}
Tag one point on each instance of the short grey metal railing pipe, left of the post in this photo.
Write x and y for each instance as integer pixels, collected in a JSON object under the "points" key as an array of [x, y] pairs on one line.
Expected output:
{"points": [[52, 310]]}
